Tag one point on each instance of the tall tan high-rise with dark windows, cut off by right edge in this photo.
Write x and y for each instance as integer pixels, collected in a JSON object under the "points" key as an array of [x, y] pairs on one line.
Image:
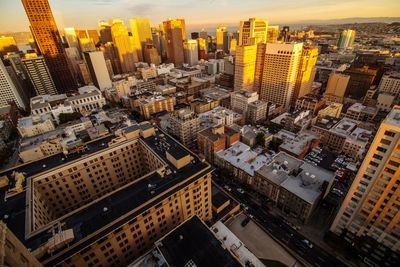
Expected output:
{"points": [[369, 215]]}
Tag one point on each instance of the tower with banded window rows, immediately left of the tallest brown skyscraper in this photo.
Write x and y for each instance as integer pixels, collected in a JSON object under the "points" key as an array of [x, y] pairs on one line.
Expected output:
{"points": [[39, 74]]}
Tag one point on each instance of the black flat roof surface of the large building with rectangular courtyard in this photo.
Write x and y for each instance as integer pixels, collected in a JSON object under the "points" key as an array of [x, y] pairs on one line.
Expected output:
{"points": [[107, 210]]}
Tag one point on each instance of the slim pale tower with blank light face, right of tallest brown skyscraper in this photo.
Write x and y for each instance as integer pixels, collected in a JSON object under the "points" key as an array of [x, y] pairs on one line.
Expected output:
{"points": [[98, 69]]}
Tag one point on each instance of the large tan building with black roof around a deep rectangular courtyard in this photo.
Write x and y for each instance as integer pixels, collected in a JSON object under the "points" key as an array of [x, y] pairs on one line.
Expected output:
{"points": [[119, 195]]}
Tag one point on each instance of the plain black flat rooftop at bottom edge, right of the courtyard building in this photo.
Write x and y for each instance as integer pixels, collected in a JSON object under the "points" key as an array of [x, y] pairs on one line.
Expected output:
{"points": [[193, 244]]}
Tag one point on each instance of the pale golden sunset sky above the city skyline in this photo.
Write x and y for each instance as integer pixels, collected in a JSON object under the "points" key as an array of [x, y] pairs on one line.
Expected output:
{"points": [[197, 13]]}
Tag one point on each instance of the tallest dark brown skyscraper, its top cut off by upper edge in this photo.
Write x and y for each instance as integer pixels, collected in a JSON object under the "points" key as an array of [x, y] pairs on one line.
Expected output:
{"points": [[48, 40]]}
